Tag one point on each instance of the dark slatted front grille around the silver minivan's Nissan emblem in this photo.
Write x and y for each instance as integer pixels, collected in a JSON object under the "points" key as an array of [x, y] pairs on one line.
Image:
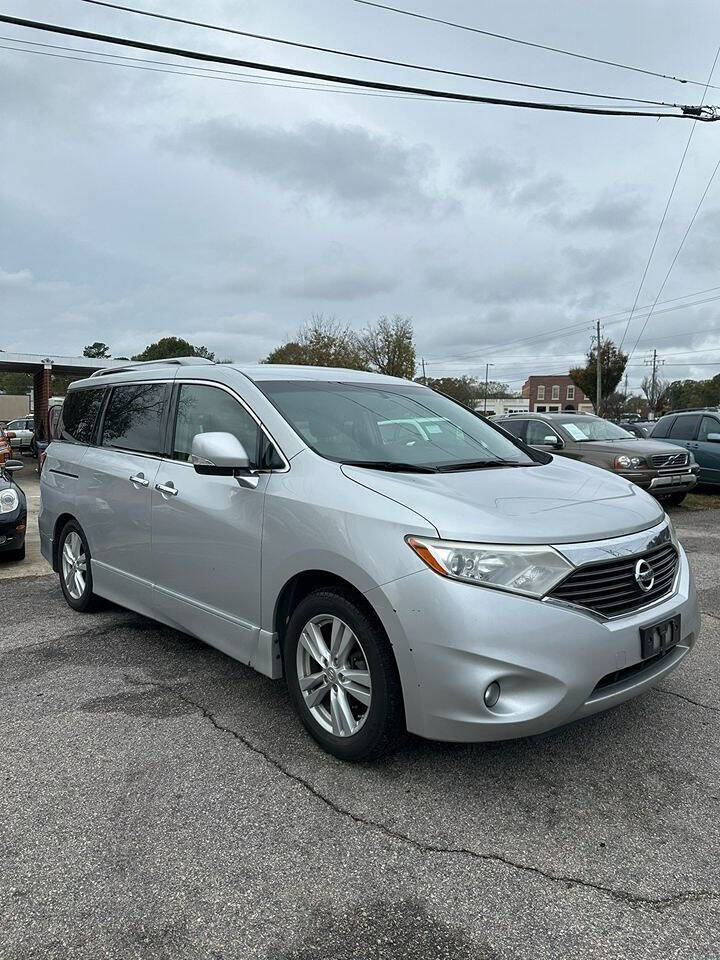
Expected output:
{"points": [[612, 589]]}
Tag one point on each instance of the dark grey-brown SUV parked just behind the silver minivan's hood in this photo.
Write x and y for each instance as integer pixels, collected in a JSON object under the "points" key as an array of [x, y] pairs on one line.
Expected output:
{"points": [[663, 469]]}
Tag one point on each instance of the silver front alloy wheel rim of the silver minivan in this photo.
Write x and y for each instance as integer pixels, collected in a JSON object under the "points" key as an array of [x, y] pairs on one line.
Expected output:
{"points": [[334, 675]]}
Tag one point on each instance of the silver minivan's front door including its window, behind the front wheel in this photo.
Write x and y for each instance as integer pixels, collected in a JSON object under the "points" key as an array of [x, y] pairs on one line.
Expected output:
{"points": [[207, 530]]}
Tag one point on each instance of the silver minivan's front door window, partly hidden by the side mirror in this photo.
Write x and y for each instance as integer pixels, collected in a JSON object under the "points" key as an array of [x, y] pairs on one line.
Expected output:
{"points": [[203, 409]]}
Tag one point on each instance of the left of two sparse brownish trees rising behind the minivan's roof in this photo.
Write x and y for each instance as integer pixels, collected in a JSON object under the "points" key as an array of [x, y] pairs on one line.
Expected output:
{"points": [[321, 342]]}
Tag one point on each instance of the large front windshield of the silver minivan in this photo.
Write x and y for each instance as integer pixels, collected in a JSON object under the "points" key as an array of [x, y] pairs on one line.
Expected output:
{"points": [[403, 425]]}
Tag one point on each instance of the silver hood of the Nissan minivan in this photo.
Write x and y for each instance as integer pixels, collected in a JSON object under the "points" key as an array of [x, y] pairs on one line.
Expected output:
{"points": [[564, 501]]}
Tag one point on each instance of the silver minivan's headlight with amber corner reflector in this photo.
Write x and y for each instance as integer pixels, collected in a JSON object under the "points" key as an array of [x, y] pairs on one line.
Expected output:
{"points": [[524, 569]]}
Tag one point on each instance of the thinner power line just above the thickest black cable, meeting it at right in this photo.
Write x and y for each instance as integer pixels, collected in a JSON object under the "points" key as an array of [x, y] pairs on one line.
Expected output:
{"points": [[367, 57]]}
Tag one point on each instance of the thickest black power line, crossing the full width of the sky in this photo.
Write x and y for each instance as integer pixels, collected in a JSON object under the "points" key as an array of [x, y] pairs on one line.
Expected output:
{"points": [[688, 112]]}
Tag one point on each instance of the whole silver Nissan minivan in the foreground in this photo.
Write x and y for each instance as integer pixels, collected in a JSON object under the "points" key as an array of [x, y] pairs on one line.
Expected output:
{"points": [[403, 563]]}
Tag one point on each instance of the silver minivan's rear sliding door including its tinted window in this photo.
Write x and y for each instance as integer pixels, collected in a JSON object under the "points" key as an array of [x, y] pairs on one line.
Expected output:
{"points": [[118, 477]]}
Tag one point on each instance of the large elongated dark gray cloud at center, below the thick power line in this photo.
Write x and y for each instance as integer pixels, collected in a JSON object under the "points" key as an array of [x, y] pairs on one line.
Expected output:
{"points": [[343, 163]]}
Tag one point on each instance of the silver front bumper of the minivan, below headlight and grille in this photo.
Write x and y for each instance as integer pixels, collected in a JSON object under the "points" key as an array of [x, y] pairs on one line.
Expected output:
{"points": [[554, 664]]}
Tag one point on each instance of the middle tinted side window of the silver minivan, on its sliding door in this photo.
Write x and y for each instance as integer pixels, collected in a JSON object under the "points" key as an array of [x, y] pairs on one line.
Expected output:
{"points": [[134, 417]]}
